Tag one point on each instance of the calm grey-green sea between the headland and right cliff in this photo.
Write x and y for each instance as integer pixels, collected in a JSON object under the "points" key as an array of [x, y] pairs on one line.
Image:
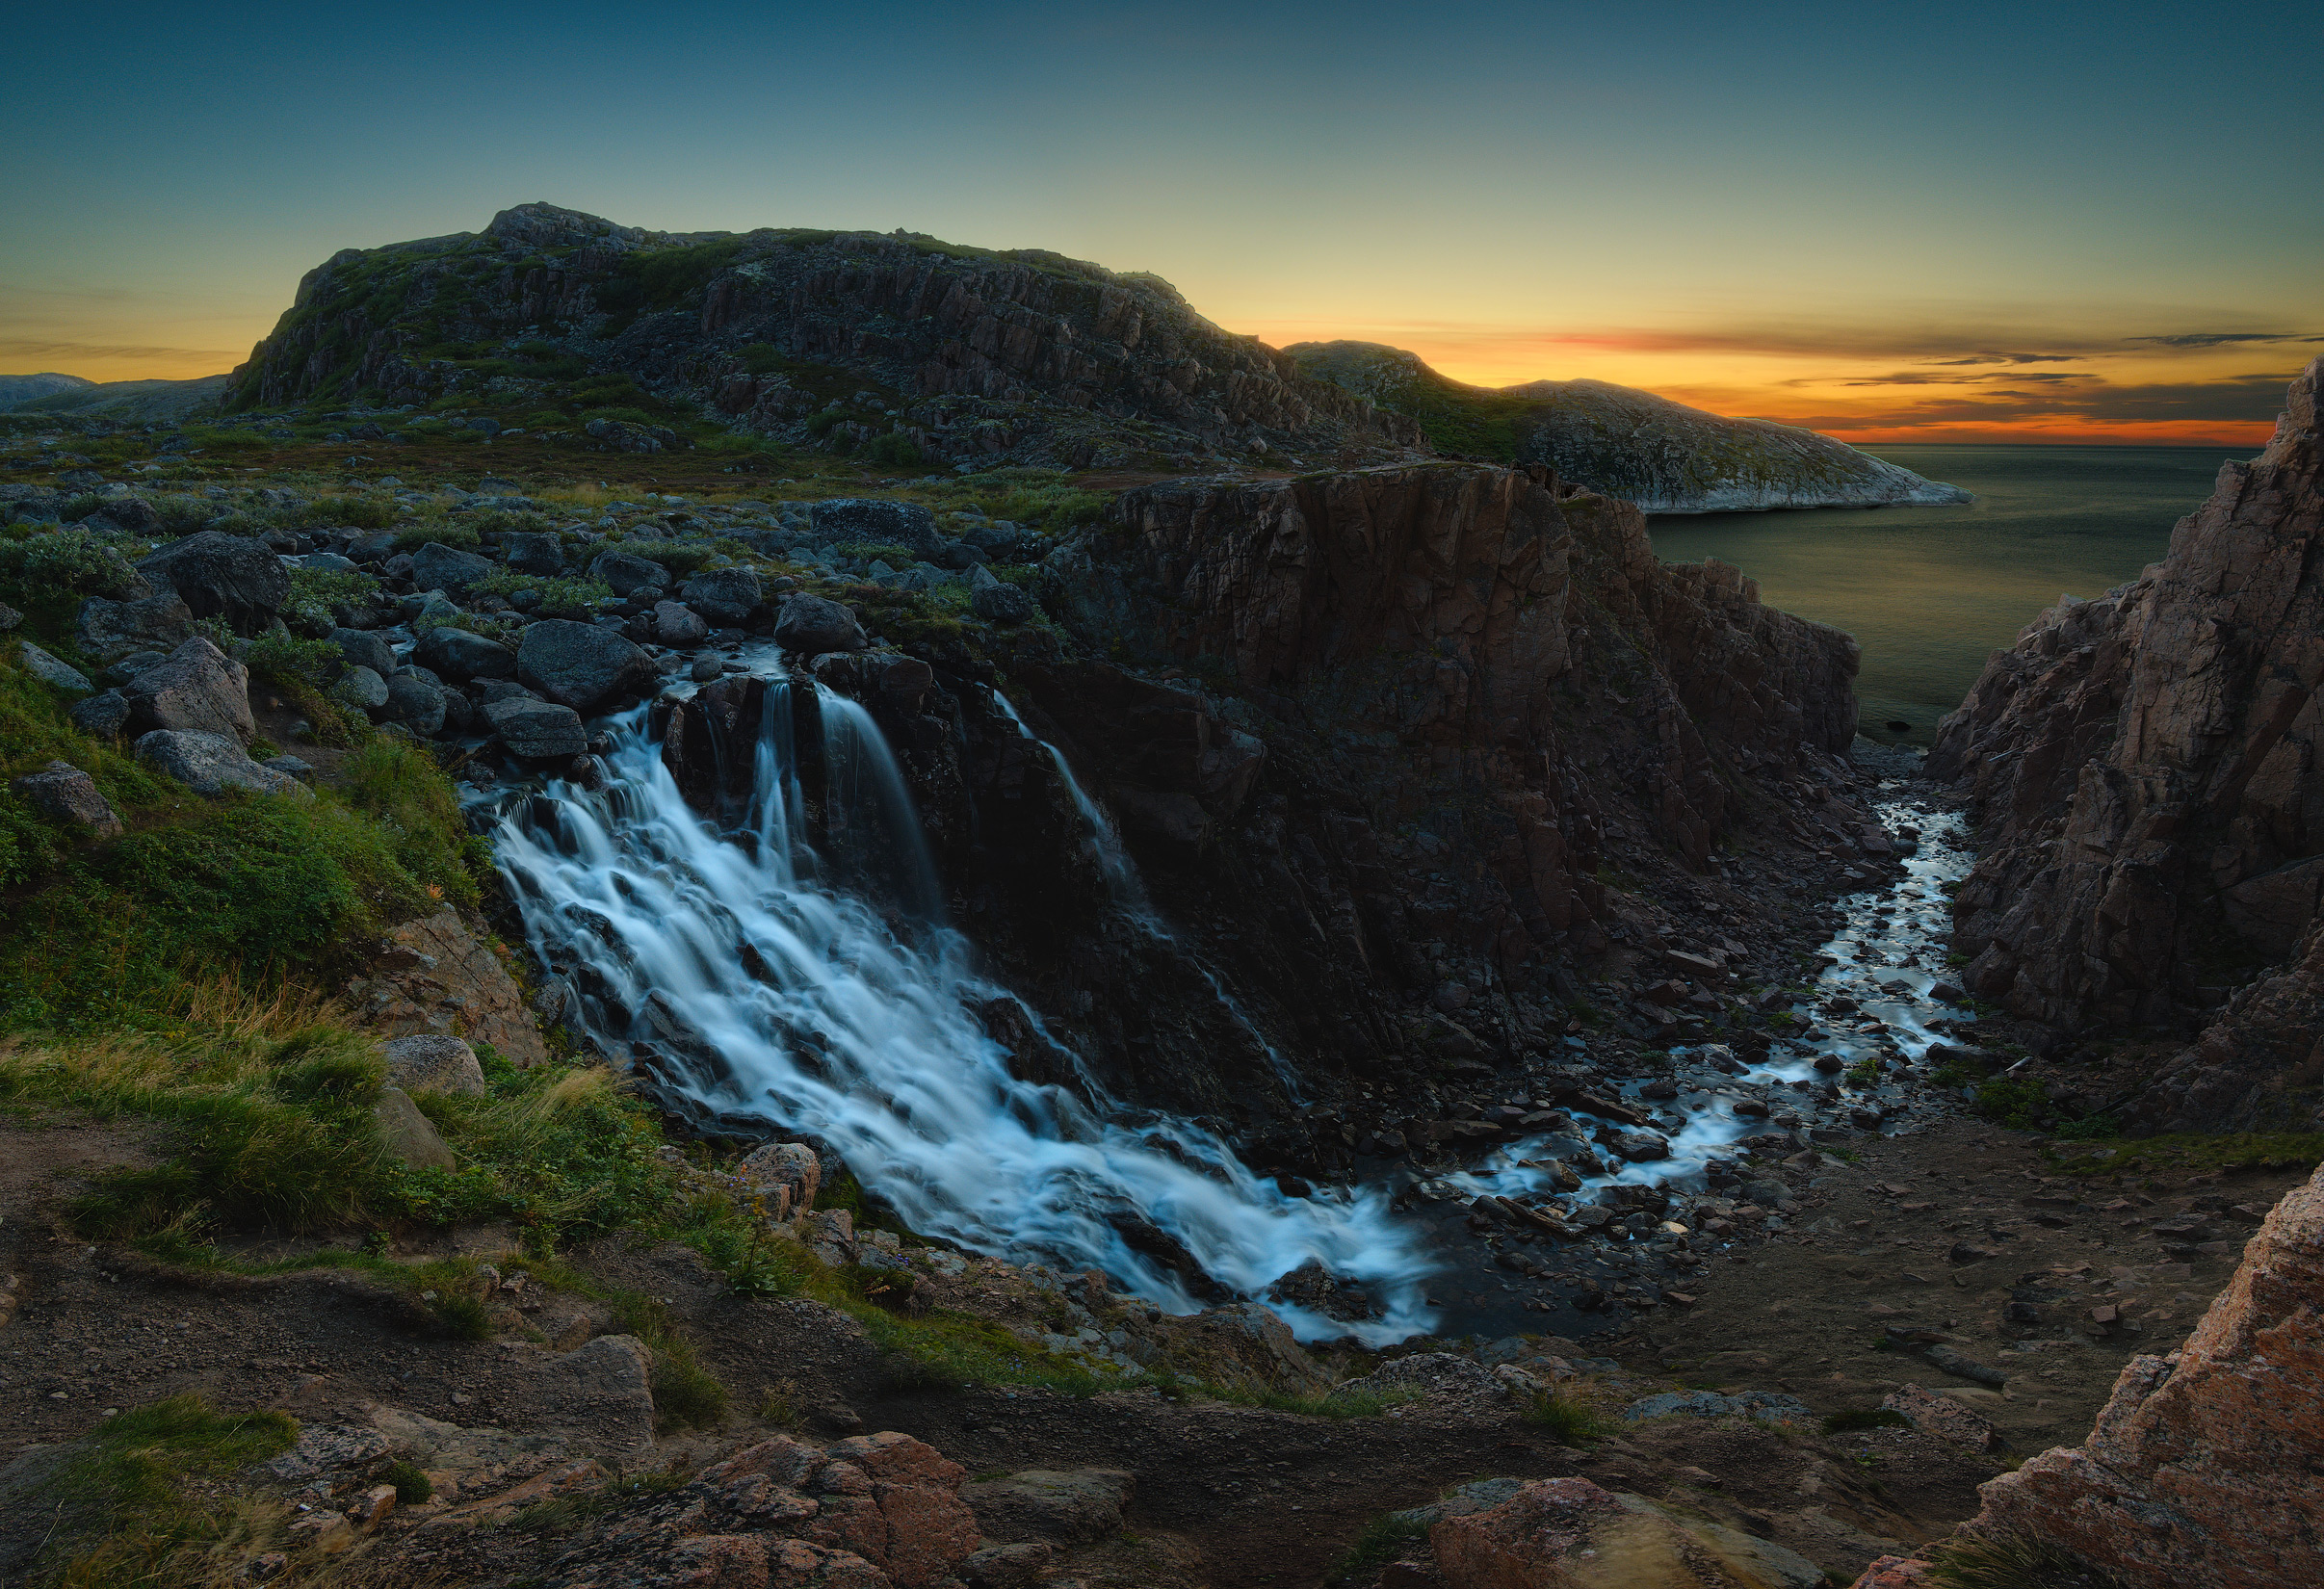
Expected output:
{"points": [[1935, 591]]}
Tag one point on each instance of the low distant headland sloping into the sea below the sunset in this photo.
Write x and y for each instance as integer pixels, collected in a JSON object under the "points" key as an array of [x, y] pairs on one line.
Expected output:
{"points": [[1623, 443]]}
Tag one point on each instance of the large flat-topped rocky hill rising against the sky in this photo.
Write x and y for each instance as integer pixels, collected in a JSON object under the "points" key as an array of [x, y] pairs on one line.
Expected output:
{"points": [[966, 352]]}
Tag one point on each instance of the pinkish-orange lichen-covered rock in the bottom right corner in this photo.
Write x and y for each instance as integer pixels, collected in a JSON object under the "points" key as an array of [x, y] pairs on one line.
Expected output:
{"points": [[2202, 1465]]}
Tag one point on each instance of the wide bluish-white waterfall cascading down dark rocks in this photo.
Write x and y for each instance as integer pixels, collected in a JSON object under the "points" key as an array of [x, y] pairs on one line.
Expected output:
{"points": [[759, 975]]}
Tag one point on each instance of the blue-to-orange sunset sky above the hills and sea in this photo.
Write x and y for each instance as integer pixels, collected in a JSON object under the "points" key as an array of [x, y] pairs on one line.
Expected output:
{"points": [[1884, 222]]}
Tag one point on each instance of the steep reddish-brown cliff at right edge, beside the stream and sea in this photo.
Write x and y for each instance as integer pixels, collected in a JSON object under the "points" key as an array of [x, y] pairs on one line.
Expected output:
{"points": [[2149, 786]]}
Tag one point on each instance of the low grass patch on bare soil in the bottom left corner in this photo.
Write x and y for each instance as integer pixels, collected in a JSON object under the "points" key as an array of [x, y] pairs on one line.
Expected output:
{"points": [[145, 1502]]}
